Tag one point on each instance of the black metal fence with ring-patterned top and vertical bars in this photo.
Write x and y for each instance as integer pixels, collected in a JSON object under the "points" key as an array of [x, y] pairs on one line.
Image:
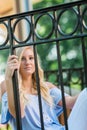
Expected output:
{"points": [[56, 34]]}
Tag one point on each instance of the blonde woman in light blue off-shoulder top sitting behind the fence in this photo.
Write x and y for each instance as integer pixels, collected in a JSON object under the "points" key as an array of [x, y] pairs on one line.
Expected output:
{"points": [[50, 95]]}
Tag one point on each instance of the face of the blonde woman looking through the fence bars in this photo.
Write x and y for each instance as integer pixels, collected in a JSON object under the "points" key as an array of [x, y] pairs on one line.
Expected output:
{"points": [[27, 66]]}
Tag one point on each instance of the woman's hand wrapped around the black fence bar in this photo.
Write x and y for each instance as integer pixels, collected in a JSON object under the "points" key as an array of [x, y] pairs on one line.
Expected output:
{"points": [[12, 64]]}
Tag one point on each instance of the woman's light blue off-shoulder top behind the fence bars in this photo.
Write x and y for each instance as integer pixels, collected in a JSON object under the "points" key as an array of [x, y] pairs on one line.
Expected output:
{"points": [[31, 120]]}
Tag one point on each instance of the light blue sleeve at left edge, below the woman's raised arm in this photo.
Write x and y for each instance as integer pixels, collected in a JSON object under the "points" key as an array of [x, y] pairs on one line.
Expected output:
{"points": [[5, 115]]}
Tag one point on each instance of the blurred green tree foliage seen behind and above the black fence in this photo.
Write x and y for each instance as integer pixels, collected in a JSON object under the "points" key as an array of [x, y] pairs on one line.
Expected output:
{"points": [[70, 50]]}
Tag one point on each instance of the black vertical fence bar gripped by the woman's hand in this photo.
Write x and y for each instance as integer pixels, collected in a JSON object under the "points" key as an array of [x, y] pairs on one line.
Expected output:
{"points": [[15, 82]]}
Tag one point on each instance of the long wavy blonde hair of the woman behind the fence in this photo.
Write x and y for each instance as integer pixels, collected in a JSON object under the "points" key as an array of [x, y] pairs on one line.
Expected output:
{"points": [[43, 85]]}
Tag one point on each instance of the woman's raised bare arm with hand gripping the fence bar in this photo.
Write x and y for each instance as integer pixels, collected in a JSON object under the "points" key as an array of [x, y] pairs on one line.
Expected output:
{"points": [[12, 65]]}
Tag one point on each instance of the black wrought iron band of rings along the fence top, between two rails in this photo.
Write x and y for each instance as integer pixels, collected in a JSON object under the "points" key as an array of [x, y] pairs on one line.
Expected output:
{"points": [[55, 16]]}
